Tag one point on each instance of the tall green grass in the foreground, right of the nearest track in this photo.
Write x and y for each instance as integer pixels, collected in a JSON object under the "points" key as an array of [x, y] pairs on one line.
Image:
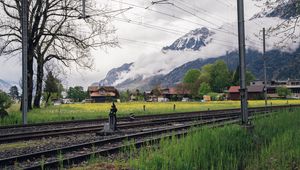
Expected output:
{"points": [[274, 144]]}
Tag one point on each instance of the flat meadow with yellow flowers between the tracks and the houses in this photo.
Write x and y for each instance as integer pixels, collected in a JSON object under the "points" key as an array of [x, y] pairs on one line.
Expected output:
{"points": [[97, 110]]}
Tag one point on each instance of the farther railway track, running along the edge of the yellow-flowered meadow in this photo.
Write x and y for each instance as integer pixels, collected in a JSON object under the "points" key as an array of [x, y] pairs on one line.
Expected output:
{"points": [[147, 120]]}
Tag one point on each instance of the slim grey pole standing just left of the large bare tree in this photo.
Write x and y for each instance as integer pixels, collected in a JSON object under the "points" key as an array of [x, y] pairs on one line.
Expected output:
{"points": [[24, 59]]}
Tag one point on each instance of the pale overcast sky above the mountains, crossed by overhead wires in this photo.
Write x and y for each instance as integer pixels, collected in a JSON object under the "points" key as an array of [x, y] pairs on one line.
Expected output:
{"points": [[137, 41]]}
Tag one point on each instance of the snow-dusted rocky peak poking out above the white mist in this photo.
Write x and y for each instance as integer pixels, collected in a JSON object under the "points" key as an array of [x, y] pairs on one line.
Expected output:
{"points": [[193, 40]]}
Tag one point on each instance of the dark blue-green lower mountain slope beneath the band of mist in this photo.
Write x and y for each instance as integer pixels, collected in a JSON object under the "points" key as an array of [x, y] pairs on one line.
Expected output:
{"points": [[281, 65]]}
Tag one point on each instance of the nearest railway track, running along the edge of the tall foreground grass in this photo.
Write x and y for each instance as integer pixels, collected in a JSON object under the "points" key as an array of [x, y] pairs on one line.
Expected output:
{"points": [[77, 153]]}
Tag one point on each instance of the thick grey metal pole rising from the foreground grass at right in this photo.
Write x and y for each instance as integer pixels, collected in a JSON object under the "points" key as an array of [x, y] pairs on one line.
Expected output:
{"points": [[243, 88]]}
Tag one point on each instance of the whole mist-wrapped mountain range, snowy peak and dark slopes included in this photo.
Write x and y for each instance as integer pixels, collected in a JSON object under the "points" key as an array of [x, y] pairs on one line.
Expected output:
{"points": [[202, 46]]}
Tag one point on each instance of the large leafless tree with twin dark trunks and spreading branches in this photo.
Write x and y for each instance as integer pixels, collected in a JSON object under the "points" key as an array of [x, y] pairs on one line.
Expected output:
{"points": [[55, 33]]}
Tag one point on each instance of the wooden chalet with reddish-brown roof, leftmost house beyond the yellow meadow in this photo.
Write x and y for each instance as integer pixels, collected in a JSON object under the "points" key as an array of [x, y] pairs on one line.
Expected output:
{"points": [[101, 94]]}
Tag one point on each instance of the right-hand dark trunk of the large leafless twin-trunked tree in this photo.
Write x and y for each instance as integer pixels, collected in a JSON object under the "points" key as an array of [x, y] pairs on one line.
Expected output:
{"points": [[39, 83]]}
